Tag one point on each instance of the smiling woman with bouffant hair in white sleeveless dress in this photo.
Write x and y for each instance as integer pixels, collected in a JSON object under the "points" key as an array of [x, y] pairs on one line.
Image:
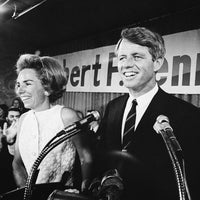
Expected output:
{"points": [[40, 82]]}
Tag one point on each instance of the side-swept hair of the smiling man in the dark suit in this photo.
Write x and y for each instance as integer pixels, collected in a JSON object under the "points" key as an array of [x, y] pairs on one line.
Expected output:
{"points": [[144, 37]]}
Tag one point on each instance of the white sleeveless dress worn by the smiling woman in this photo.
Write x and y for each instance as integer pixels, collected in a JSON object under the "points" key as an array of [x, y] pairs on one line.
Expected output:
{"points": [[36, 130]]}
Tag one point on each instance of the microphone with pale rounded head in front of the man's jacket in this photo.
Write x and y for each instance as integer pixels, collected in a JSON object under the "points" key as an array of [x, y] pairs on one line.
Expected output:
{"points": [[163, 127]]}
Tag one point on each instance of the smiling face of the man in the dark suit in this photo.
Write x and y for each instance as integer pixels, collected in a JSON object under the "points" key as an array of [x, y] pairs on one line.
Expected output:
{"points": [[136, 67]]}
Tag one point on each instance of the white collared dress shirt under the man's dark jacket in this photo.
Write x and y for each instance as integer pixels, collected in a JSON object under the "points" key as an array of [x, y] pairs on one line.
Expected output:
{"points": [[142, 104]]}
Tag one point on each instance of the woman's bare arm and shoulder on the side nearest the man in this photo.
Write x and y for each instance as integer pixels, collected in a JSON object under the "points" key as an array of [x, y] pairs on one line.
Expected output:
{"points": [[82, 145]]}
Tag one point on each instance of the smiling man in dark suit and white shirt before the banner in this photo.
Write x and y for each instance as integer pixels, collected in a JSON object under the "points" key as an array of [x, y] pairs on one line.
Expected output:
{"points": [[144, 163]]}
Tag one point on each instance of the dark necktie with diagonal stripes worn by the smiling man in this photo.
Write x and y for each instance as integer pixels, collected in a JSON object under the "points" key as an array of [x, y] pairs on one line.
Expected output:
{"points": [[129, 125]]}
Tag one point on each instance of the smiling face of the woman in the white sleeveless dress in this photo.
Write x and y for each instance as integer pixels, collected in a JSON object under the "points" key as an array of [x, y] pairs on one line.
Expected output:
{"points": [[31, 91]]}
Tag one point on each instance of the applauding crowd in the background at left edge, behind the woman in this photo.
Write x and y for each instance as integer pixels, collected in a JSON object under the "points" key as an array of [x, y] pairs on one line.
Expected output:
{"points": [[9, 115]]}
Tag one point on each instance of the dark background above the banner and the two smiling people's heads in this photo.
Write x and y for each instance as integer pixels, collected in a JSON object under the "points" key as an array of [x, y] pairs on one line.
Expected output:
{"points": [[60, 26]]}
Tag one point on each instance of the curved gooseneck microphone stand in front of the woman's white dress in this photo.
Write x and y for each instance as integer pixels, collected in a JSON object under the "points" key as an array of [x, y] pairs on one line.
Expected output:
{"points": [[48, 147]]}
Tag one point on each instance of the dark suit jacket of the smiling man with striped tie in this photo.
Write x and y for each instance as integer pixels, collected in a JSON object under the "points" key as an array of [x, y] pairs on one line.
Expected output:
{"points": [[146, 168]]}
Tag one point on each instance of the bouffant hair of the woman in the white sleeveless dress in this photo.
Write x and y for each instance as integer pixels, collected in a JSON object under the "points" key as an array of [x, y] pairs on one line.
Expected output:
{"points": [[51, 74]]}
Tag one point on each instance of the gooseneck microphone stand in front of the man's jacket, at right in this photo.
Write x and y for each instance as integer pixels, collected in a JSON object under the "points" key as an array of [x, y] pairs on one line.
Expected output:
{"points": [[175, 153]]}
